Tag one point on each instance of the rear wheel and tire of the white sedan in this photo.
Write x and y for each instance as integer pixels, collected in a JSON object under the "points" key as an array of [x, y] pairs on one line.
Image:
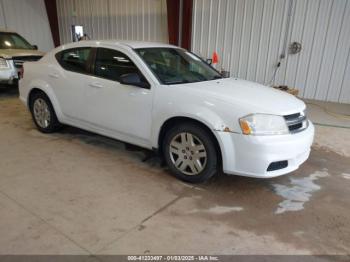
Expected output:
{"points": [[43, 114]]}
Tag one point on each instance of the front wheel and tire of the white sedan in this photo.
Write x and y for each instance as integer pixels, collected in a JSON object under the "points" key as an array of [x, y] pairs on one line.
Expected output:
{"points": [[190, 153]]}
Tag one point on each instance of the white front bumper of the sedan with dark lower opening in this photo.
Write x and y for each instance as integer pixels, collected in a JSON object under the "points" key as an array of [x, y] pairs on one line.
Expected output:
{"points": [[251, 155]]}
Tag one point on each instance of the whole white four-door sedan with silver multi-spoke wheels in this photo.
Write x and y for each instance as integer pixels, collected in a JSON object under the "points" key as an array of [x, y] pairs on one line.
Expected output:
{"points": [[165, 98]]}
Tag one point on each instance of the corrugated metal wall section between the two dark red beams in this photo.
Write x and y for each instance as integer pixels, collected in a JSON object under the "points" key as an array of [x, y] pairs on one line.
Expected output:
{"points": [[114, 19]]}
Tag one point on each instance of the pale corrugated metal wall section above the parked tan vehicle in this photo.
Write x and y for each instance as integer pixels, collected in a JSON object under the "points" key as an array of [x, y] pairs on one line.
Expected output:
{"points": [[29, 19]]}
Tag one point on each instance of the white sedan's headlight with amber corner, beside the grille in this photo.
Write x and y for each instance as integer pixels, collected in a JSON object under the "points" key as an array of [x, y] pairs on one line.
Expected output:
{"points": [[263, 124]]}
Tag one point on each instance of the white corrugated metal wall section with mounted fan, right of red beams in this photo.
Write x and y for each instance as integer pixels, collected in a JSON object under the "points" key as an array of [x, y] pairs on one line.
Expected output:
{"points": [[249, 36]]}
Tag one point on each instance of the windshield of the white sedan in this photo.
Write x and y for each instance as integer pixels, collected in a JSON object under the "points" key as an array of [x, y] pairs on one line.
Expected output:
{"points": [[177, 66]]}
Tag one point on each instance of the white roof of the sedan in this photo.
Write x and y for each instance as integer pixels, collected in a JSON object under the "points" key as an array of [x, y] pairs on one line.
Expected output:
{"points": [[131, 44]]}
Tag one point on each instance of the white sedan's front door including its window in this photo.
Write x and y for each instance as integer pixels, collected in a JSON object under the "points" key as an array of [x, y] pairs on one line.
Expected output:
{"points": [[109, 105]]}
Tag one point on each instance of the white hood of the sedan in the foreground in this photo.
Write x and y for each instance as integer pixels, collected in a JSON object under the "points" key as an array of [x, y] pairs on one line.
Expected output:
{"points": [[254, 97]]}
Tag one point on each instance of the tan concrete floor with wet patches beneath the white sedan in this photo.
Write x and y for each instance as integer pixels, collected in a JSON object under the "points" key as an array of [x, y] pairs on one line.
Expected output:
{"points": [[74, 192]]}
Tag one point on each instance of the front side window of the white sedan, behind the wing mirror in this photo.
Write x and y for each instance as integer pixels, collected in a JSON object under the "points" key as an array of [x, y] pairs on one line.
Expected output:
{"points": [[111, 64]]}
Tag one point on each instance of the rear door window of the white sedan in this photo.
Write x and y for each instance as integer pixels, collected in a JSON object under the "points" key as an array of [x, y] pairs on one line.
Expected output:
{"points": [[76, 60]]}
